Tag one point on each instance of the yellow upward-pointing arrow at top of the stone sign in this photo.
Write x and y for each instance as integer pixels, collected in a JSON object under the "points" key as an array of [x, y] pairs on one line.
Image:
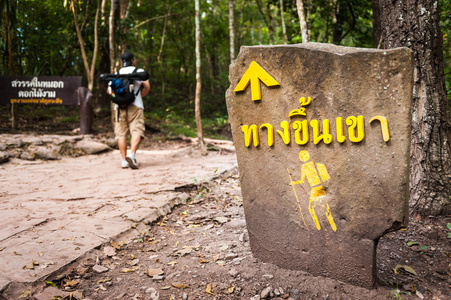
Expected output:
{"points": [[254, 74]]}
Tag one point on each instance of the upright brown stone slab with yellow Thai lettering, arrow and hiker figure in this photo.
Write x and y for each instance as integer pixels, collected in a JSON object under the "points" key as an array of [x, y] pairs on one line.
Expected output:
{"points": [[322, 136]]}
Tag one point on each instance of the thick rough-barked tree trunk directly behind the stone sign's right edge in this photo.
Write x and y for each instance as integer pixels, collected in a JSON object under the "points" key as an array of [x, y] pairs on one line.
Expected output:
{"points": [[415, 24]]}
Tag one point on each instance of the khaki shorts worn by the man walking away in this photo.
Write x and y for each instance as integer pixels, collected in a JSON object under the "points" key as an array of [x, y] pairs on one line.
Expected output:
{"points": [[131, 121]]}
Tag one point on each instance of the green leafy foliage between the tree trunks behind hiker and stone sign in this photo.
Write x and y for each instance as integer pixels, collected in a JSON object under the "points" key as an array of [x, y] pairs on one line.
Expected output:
{"points": [[161, 35]]}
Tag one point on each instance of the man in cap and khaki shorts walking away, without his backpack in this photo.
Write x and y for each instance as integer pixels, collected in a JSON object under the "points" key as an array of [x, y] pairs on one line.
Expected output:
{"points": [[130, 119]]}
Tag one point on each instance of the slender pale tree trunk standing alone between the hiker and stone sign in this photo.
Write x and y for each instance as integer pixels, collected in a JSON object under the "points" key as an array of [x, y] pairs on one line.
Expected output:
{"points": [[200, 136]]}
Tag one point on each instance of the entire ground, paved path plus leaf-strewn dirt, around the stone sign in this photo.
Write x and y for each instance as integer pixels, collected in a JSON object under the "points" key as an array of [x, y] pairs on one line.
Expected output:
{"points": [[95, 231]]}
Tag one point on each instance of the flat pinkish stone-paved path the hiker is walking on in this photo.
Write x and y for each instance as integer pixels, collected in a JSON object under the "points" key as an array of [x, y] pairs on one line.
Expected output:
{"points": [[53, 212]]}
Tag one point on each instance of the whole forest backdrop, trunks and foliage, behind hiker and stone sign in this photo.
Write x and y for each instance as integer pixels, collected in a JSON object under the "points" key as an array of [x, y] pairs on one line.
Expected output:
{"points": [[86, 38]]}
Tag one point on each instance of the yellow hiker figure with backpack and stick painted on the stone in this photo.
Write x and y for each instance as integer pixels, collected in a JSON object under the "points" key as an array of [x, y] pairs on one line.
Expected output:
{"points": [[315, 175]]}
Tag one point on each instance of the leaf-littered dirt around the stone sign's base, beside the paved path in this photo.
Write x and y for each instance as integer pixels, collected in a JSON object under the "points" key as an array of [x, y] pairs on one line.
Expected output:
{"points": [[200, 250]]}
